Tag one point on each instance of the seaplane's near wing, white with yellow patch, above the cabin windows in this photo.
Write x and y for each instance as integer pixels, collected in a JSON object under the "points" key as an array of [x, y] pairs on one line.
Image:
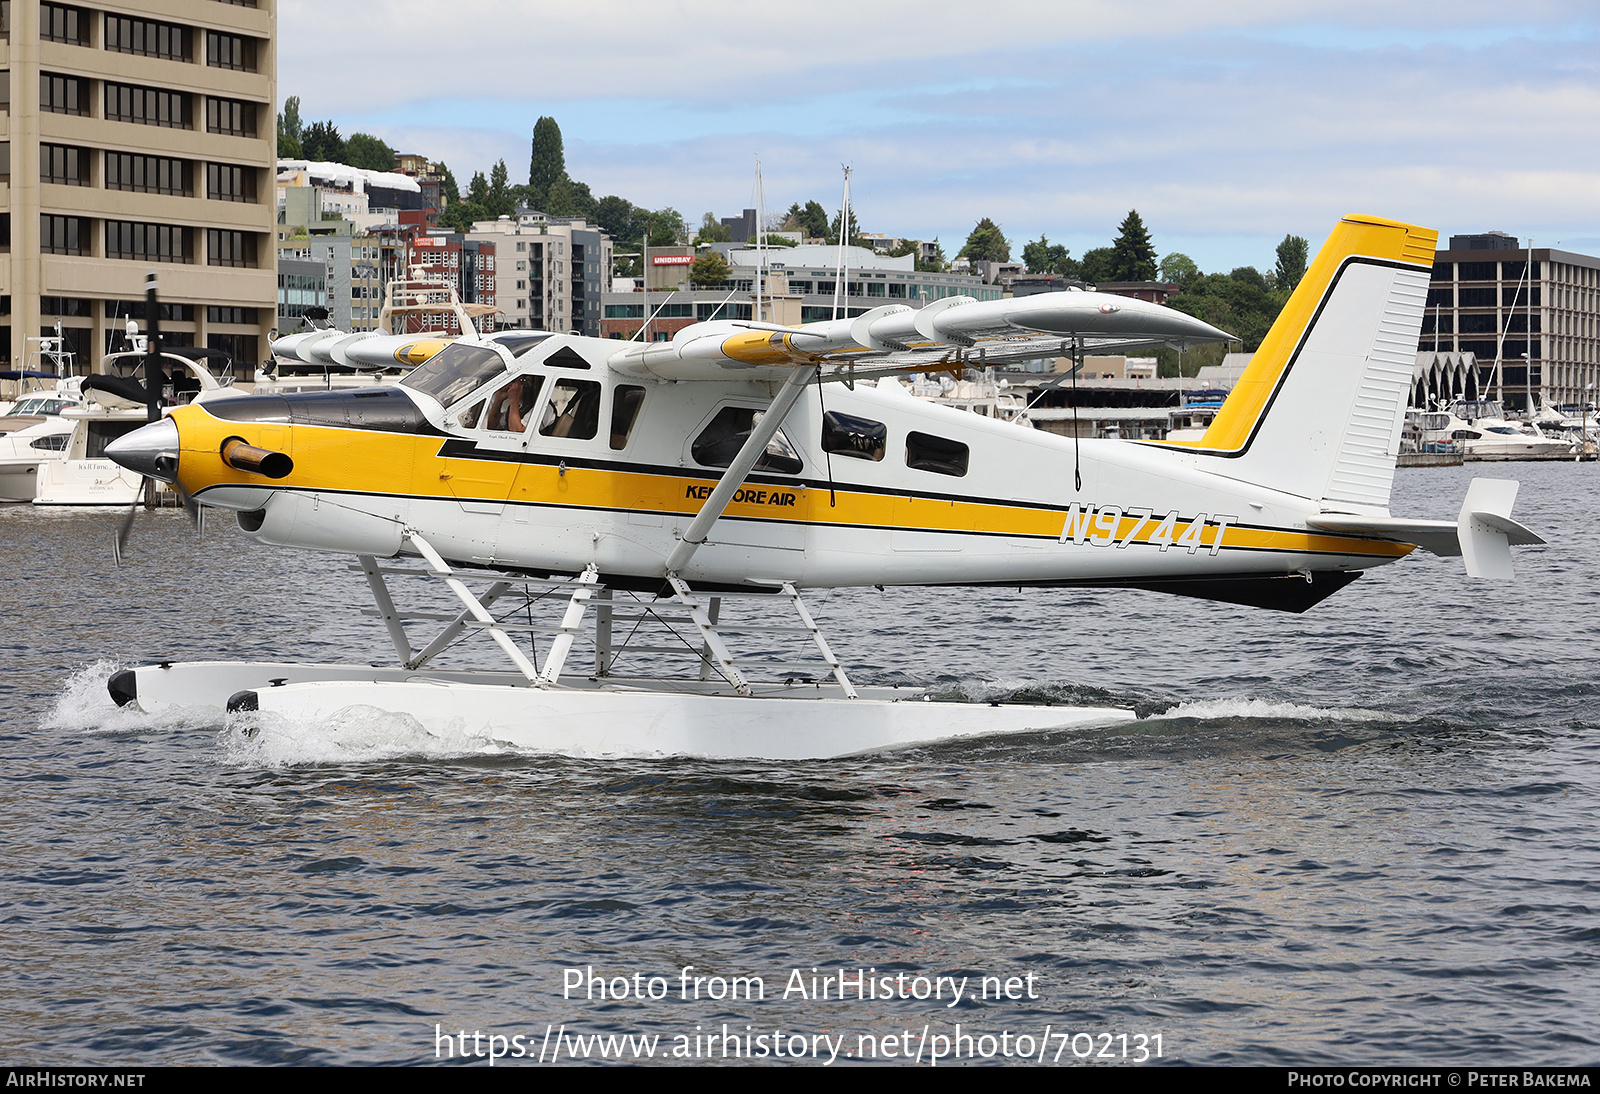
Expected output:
{"points": [[953, 333]]}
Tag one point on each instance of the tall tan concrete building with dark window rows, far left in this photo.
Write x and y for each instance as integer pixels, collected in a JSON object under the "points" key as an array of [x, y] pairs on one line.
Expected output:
{"points": [[140, 137]]}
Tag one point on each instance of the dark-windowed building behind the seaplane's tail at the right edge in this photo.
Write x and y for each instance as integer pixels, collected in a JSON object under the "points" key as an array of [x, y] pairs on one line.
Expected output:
{"points": [[1546, 340]]}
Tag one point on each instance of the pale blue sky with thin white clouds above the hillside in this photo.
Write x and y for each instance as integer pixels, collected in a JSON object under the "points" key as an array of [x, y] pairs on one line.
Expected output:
{"points": [[1226, 126]]}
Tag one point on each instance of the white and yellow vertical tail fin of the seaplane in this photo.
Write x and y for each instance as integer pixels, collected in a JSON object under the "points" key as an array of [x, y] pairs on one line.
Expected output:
{"points": [[1319, 410]]}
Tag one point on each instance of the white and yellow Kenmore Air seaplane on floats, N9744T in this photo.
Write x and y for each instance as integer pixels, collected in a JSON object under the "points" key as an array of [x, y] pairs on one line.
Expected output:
{"points": [[750, 463]]}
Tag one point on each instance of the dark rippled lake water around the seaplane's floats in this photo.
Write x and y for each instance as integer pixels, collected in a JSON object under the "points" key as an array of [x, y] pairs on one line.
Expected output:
{"points": [[1350, 837]]}
